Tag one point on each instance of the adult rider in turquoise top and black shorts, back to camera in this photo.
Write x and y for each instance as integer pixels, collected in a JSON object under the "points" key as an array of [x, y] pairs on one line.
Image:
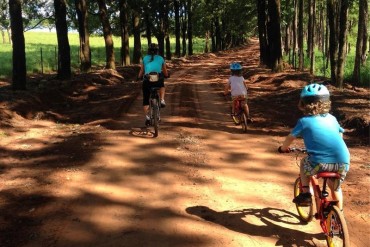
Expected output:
{"points": [[152, 64]]}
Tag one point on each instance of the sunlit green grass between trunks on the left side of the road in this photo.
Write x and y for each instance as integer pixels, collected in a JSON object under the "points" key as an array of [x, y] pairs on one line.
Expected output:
{"points": [[45, 43]]}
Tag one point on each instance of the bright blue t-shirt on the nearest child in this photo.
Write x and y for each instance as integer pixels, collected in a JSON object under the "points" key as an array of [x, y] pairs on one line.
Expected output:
{"points": [[321, 135]]}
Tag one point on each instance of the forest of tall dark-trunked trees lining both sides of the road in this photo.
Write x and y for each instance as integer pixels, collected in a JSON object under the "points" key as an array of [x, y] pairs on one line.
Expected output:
{"points": [[320, 36]]}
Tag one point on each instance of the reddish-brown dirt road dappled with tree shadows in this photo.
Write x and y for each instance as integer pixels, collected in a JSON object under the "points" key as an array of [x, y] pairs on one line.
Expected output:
{"points": [[200, 183]]}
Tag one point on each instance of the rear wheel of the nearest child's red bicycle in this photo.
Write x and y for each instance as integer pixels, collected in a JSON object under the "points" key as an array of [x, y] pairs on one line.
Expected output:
{"points": [[337, 230]]}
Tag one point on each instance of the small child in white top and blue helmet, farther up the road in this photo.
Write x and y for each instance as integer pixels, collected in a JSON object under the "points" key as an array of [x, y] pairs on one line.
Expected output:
{"points": [[237, 87]]}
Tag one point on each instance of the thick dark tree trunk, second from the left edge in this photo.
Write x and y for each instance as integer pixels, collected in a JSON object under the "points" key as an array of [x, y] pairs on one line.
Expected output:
{"points": [[64, 50]]}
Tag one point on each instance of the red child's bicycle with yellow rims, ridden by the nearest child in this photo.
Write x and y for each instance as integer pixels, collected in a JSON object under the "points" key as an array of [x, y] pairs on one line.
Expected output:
{"points": [[331, 218]]}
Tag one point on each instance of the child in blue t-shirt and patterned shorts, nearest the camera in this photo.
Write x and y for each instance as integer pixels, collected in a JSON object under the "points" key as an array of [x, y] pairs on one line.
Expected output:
{"points": [[323, 138]]}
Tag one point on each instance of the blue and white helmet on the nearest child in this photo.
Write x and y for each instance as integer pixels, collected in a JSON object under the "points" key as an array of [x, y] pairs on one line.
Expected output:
{"points": [[314, 92]]}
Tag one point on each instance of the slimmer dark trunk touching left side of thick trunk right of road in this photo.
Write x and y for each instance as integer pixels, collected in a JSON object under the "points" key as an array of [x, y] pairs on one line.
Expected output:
{"points": [[262, 32]]}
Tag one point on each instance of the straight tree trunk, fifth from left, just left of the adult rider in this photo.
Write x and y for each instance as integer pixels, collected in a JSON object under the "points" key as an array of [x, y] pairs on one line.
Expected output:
{"points": [[125, 46]]}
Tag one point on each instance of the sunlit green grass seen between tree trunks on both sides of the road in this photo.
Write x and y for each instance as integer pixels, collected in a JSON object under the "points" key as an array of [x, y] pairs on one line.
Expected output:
{"points": [[41, 55]]}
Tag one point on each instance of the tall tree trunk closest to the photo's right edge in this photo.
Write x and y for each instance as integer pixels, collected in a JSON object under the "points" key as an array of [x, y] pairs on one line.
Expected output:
{"points": [[361, 39]]}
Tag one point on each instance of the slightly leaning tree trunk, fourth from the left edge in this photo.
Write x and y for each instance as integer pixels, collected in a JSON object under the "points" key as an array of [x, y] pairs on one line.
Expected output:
{"points": [[107, 32]]}
